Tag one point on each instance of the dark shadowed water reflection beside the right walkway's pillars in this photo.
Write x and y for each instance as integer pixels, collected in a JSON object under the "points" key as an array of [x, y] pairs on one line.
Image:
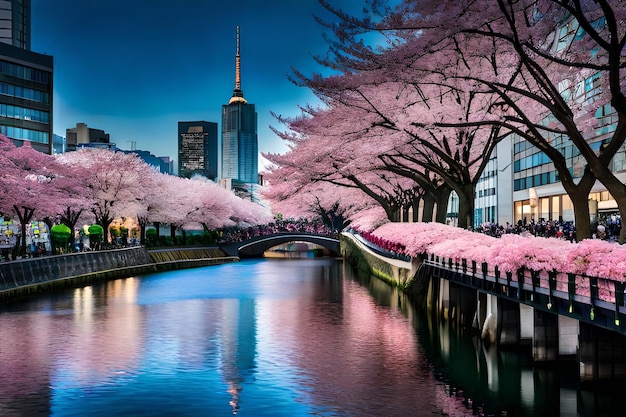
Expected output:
{"points": [[481, 380]]}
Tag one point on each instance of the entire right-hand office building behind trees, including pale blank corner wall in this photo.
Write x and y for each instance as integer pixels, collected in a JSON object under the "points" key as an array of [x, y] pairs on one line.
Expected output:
{"points": [[529, 188]]}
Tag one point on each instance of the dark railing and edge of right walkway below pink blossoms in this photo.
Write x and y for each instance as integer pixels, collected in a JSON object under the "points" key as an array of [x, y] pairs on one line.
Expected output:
{"points": [[596, 300]]}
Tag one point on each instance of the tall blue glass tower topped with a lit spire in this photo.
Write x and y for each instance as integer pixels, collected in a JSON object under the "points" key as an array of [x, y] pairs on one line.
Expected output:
{"points": [[240, 149]]}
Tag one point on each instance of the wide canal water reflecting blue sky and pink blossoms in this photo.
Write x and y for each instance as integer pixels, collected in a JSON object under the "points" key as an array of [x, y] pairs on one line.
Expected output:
{"points": [[262, 338]]}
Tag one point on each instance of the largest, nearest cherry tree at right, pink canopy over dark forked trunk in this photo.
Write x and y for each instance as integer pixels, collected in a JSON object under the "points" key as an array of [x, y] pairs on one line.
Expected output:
{"points": [[556, 67]]}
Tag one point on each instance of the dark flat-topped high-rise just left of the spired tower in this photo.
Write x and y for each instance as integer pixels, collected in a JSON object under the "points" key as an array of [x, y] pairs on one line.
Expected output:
{"points": [[197, 149]]}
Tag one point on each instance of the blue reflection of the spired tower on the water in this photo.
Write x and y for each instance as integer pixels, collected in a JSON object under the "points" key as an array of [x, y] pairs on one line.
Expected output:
{"points": [[239, 346]]}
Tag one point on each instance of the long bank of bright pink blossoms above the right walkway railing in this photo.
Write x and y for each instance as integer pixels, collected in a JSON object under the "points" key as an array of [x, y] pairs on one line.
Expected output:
{"points": [[510, 253]]}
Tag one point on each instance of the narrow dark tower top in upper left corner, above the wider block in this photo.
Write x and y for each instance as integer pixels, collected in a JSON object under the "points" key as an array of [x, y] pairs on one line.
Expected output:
{"points": [[15, 23]]}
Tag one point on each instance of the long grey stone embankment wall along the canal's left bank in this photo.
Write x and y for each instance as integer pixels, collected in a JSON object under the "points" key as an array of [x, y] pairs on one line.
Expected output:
{"points": [[37, 275]]}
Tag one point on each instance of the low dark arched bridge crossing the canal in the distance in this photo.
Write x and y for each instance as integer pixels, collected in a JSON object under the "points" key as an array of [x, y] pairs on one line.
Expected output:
{"points": [[255, 247]]}
